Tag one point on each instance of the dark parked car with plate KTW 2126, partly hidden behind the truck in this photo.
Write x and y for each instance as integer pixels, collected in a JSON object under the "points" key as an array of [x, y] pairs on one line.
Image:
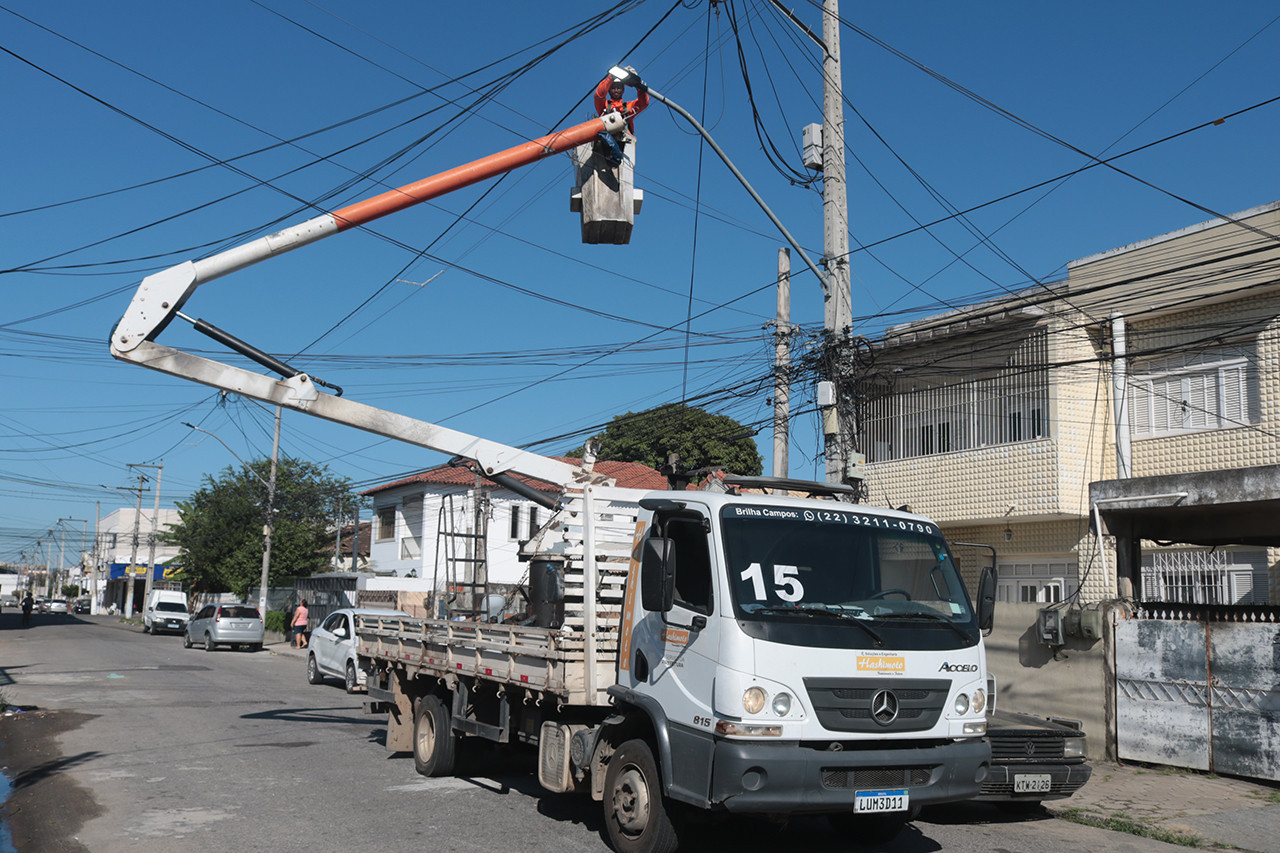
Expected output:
{"points": [[1034, 759]]}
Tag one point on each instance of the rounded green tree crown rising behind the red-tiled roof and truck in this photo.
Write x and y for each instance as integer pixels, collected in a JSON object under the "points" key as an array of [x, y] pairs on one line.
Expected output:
{"points": [[702, 440]]}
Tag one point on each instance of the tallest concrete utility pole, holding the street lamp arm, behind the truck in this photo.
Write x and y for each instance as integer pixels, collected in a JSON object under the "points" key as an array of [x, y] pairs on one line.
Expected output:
{"points": [[838, 302]]}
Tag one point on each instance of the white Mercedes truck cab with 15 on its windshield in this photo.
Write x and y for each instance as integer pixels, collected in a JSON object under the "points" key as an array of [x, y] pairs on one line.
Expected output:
{"points": [[803, 656]]}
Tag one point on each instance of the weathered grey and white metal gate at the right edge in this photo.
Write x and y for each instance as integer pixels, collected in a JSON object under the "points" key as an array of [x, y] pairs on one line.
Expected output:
{"points": [[1200, 688]]}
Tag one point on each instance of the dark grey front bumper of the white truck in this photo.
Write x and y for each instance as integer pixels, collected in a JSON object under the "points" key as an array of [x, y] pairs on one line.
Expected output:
{"points": [[789, 779]]}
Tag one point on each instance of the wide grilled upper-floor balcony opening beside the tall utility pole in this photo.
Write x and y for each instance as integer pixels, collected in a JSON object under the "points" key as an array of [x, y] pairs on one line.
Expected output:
{"points": [[993, 394]]}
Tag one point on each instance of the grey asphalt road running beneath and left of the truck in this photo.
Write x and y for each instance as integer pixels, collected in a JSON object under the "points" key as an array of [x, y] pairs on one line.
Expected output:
{"points": [[143, 746]]}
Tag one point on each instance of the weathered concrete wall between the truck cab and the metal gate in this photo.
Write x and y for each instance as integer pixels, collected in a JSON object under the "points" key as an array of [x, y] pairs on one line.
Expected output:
{"points": [[1032, 679]]}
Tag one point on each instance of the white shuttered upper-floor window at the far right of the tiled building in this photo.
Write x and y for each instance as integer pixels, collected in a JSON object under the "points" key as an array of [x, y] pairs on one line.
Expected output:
{"points": [[1194, 391]]}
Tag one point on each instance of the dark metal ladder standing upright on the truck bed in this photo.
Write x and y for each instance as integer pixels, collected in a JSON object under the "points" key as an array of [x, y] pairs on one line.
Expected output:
{"points": [[464, 558]]}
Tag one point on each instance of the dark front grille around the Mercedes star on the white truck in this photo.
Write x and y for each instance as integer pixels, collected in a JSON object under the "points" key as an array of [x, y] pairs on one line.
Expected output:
{"points": [[845, 705]]}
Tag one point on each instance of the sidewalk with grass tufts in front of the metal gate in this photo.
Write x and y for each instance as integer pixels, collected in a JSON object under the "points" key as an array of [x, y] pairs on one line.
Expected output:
{"points": [[1180, 806]]}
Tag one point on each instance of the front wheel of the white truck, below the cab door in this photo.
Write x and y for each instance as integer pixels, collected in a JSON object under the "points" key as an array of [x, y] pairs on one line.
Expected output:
{"points": [[636, 814]]}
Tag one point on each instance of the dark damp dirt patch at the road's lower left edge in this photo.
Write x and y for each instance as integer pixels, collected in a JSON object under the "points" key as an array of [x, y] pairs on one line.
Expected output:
{"points": [[45, 808]]}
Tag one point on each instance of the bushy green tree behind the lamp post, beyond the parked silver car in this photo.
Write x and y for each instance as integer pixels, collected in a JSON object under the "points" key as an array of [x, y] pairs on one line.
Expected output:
{"points": [[220, 533]]}
